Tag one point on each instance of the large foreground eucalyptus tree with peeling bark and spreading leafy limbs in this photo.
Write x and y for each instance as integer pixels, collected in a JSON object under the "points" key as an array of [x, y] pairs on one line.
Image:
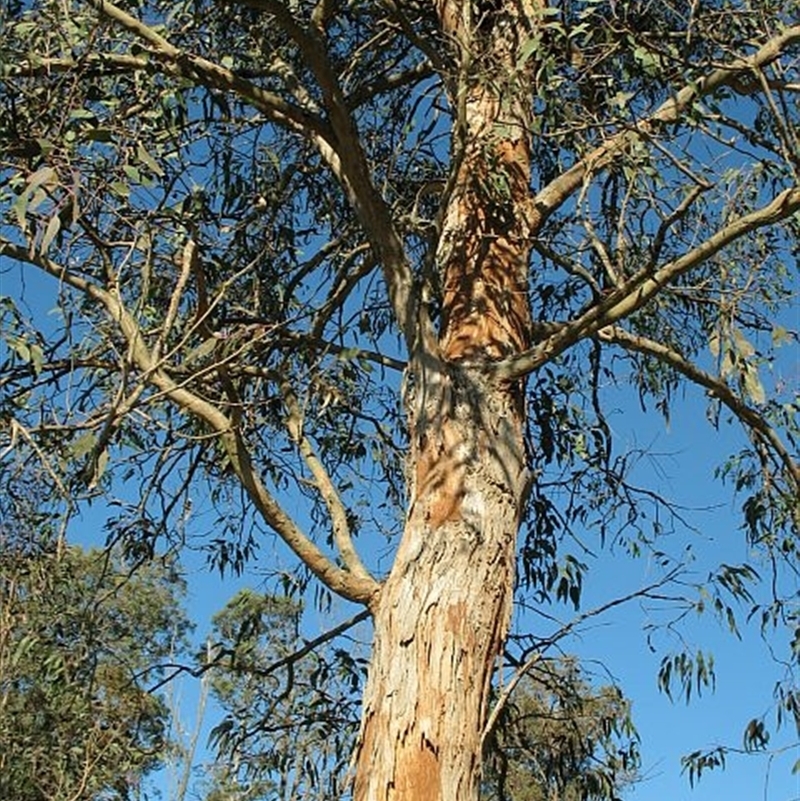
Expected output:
{"points": [[388, 257]]}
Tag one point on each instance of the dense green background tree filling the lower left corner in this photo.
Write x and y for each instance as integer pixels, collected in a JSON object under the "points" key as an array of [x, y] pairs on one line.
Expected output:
{"points": [[82, 636]]}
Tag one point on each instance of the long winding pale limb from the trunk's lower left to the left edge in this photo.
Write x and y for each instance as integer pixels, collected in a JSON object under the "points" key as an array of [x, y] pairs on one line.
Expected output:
{"points": [[347, 585]]}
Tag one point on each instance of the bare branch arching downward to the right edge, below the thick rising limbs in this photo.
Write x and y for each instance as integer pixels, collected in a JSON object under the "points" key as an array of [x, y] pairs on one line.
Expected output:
{"points": [[715, 386]]}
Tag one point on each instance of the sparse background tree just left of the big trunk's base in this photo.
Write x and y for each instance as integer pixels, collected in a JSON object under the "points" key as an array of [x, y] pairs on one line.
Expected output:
{"points": [[290, 707]]}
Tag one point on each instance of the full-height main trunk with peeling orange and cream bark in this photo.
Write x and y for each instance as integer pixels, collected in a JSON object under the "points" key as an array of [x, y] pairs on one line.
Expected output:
{"points": [[442, 616]]}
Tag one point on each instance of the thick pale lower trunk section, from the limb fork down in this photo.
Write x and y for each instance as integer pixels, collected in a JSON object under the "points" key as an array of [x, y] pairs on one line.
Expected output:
{"points": [[442, 616]]}
